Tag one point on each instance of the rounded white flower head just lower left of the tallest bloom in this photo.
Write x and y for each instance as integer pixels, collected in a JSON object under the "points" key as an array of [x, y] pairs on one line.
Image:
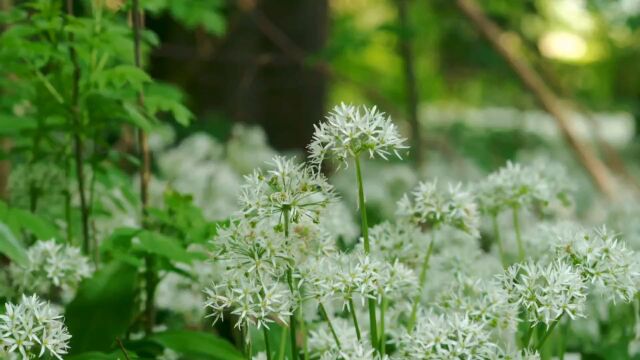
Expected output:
{"points": [[287, 189]]}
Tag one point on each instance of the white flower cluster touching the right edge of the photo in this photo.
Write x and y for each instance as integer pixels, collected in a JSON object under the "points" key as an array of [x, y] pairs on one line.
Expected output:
{"points": [[603, 261]]}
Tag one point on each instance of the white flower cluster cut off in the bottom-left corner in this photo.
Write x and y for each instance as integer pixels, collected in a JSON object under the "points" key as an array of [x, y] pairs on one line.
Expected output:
{"points": [[32, 329]]}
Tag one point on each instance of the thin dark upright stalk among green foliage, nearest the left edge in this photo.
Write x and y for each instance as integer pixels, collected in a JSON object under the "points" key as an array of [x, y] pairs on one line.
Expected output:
{"points": [[78, 146]]}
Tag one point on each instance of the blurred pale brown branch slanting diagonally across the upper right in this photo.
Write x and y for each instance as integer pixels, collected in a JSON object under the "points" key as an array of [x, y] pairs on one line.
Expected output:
{"points": [[547, 99]]}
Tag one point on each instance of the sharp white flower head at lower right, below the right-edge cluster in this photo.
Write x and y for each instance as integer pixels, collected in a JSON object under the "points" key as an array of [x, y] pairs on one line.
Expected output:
{"points": [[546, 292]]}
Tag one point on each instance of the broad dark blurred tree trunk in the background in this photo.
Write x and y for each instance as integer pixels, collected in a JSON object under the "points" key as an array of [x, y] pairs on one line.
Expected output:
{"points": [[244, 76]]}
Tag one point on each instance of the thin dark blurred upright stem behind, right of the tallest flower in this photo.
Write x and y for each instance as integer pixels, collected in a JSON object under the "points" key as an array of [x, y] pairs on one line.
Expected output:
{"points": [[411, 88]]}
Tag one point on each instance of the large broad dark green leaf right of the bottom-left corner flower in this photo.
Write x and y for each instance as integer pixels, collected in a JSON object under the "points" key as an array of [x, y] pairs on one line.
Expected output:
{"points": [[103, 308]]}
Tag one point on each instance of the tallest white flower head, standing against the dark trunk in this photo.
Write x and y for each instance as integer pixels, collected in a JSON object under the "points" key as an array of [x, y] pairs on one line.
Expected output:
{"points": [[350, 131]]}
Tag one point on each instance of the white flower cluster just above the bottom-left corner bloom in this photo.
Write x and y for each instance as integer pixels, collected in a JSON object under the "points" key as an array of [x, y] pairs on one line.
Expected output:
{"points": [[51, 265]]}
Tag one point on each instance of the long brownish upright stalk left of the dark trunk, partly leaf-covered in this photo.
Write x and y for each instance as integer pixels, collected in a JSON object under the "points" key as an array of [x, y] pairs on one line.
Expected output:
{"points": [[145, 174]]}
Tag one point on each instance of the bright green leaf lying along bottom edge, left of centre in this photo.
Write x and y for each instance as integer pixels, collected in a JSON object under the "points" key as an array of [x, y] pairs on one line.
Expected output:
{"points": [[198, 344]]}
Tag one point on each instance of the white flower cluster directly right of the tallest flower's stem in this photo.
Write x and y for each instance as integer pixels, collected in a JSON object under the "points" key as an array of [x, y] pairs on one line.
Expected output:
{"points": [[432, 207]]}
